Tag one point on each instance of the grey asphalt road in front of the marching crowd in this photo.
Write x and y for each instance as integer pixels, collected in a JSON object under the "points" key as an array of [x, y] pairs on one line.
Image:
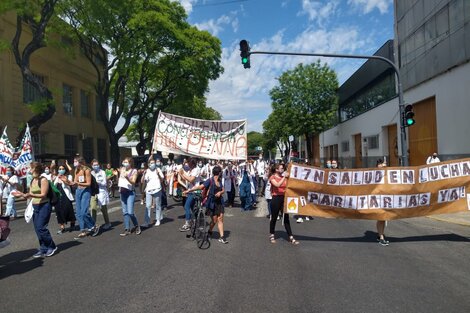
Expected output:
{"points": [[338, 267]]}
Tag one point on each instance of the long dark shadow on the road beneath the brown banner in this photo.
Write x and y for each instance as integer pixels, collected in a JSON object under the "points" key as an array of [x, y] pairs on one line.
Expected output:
{"points": [[370, 236]]}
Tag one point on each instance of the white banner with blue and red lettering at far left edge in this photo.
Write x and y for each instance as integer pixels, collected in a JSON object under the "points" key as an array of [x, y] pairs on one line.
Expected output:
{"points": [[19, 158]]}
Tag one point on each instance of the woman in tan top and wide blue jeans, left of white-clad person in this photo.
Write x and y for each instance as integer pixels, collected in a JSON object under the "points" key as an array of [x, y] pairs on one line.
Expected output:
{"points": [[82, 182]]}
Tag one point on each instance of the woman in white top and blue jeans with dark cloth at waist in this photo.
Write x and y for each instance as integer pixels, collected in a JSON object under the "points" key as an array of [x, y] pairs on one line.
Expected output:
{"points": [[126, 183]]}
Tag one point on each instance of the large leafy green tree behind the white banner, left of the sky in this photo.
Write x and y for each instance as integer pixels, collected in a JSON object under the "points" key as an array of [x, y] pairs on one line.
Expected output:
{"points": [[144, 52]]}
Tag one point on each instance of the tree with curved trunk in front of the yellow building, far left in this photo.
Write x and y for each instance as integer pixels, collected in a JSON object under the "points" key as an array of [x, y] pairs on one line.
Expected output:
{"points": [[37, 15]]}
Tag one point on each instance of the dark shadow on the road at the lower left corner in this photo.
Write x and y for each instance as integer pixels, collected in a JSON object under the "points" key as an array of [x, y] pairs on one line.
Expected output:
{"points": [[20, 262]]}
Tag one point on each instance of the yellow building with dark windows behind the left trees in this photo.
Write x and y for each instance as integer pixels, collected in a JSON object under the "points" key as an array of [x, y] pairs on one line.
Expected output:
{"points": [[76, 126]]}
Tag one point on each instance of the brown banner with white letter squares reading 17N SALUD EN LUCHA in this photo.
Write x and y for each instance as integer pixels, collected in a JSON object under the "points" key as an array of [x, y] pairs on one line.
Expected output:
{"points": [[379, 193]]}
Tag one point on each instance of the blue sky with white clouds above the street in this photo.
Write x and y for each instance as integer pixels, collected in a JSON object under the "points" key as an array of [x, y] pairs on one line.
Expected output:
{"points": [[308, 26]]}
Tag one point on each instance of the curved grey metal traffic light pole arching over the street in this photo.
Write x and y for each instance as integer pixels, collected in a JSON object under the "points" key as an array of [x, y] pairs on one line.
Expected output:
{"points": [[401, 103]]}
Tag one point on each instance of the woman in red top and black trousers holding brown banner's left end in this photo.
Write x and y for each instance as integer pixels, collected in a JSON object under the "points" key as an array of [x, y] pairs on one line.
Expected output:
{"points": [[278, 188]]}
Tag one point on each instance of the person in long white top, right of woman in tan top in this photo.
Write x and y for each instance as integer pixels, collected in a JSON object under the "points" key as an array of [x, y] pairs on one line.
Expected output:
{"points": [[102, 198]]}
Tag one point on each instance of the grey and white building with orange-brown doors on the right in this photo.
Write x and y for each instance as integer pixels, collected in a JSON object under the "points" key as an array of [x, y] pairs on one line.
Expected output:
{"points": [[432, 49]]}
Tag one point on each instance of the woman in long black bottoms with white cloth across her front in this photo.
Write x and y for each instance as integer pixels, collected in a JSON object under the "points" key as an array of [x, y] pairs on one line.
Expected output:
{"points": [[64, 208]]}
